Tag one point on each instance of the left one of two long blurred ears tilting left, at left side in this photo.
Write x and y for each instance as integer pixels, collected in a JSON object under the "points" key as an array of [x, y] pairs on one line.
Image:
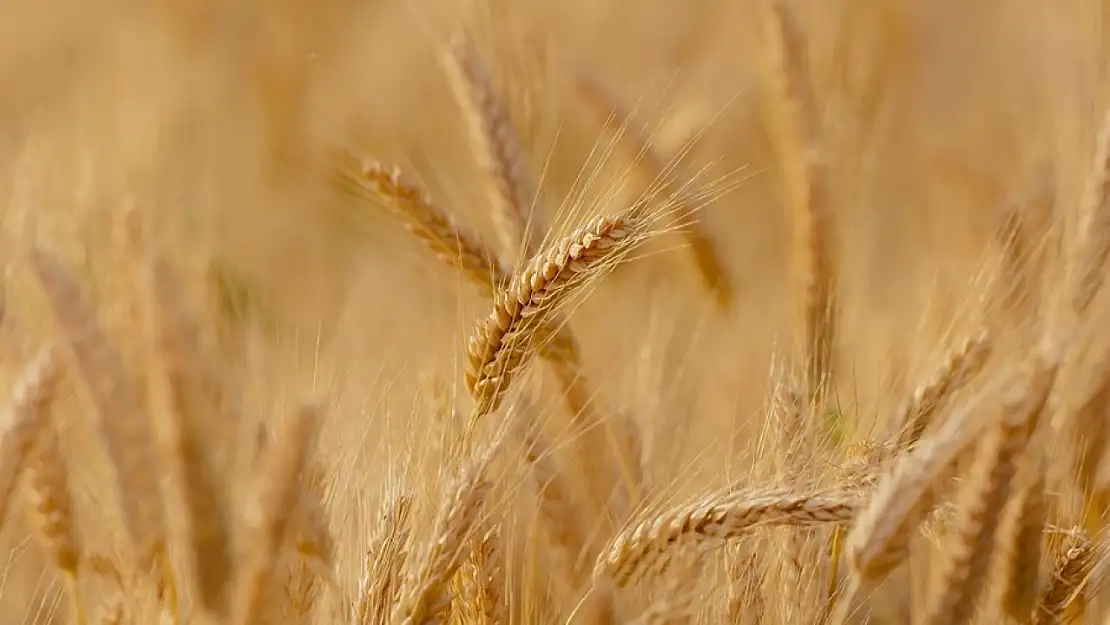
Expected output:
{"points": [[122, 417]]}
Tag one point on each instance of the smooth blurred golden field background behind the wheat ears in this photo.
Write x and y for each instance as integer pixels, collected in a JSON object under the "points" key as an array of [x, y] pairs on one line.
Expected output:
{"points": [[215, 124]]}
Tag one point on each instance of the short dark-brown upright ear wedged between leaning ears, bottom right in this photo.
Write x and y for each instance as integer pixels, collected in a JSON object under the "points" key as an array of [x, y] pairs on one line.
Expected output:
{"points": [[1021, 539]]}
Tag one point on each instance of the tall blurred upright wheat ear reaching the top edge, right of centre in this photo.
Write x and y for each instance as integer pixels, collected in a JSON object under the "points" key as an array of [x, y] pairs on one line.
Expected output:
{"points": [[806, 193]]}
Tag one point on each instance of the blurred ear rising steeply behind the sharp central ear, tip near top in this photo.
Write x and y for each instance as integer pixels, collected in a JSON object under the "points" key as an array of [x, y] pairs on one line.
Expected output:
{"points": [[497, 148]]}
